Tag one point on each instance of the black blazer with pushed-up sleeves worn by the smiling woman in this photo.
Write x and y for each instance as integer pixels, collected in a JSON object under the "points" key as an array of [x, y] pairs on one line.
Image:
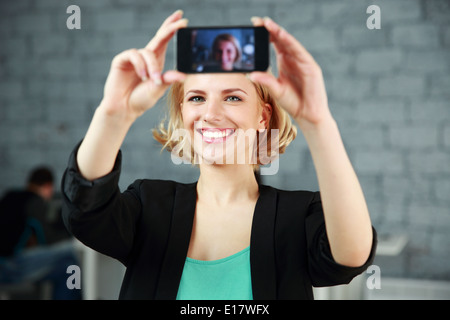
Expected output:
{"points": [[148, 229]]}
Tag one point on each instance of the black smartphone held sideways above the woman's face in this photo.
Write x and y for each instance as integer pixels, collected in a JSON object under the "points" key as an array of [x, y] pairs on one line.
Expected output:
{"points": [[222, 49]]}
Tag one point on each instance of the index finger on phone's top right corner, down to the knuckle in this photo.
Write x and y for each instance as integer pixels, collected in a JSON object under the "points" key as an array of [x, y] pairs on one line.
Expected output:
{"points": [[285, 42]]}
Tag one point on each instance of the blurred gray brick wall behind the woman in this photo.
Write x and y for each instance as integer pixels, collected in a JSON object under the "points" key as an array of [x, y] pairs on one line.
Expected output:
{"points": [[388, 89]]}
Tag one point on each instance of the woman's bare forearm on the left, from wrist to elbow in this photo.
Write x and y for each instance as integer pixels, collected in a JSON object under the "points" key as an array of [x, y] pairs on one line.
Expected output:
{"points": [[98, 151]]}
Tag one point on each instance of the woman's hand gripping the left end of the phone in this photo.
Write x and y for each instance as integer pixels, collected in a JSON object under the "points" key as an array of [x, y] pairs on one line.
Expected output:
{"points": [[135, 81]]}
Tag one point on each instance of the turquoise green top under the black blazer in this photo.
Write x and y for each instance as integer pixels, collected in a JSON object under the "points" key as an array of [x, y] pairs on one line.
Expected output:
{"points": [[224, 279]]}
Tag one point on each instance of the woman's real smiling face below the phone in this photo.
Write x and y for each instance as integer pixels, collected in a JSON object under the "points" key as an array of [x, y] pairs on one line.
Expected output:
{"points": [[221, 113]]}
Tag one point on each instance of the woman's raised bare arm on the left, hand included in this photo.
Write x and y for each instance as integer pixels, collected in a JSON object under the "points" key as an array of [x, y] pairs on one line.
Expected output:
{"points": [[134, 85]]}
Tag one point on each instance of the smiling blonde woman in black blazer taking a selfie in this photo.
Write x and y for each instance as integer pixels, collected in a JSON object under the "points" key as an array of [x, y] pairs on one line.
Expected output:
{"points": [[225, 236]]}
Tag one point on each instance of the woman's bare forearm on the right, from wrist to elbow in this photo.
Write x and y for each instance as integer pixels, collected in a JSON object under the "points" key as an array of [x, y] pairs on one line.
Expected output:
{"points": [[347, 218]]}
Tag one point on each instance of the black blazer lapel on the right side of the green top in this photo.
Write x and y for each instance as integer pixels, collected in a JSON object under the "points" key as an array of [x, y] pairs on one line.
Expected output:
{"points": [[262, 246]]}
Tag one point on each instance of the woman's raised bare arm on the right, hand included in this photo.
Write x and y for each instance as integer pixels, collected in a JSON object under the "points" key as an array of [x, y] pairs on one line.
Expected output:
{"points": [[300, 90]]}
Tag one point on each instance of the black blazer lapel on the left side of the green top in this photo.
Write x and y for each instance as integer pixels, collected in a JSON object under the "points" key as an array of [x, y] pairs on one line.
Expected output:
{"points": [[178, 243]]}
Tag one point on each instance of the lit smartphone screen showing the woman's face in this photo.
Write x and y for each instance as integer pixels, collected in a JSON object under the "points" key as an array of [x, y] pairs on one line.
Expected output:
{"points": [[223, 50]]}
